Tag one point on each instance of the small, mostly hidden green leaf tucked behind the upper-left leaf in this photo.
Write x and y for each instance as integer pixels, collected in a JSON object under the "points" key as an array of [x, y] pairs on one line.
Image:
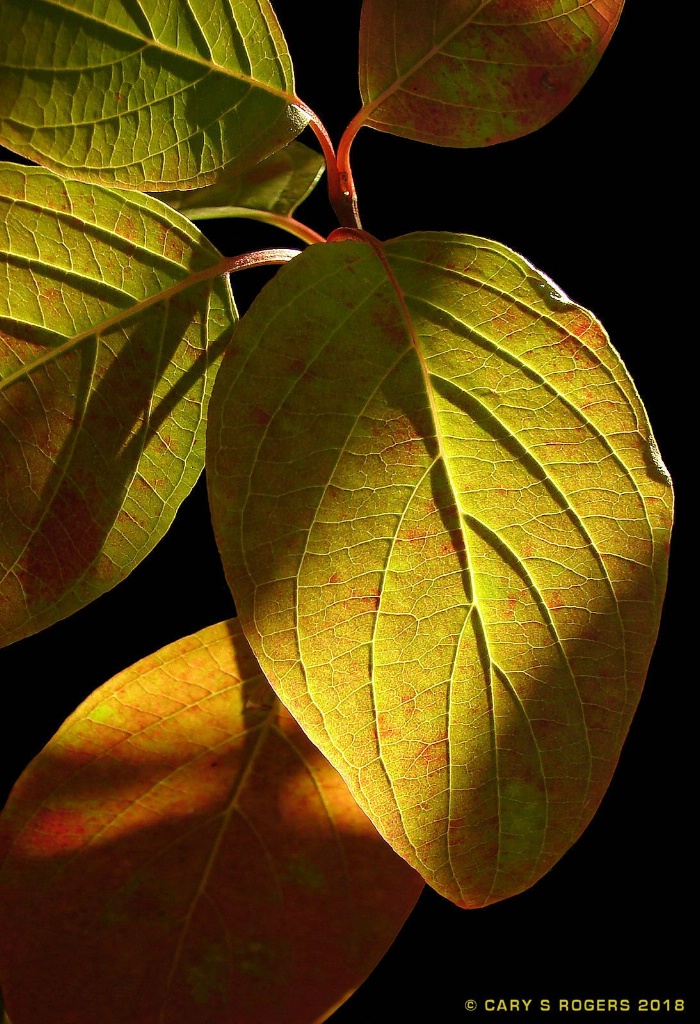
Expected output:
{"points": [[277, 186]]}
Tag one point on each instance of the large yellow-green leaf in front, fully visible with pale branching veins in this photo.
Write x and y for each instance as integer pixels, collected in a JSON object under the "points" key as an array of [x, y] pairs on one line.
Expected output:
{"points": [[445, 522]]}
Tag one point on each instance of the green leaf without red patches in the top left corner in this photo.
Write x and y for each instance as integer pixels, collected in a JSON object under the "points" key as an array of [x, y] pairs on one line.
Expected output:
{"points": [[146, 95]]}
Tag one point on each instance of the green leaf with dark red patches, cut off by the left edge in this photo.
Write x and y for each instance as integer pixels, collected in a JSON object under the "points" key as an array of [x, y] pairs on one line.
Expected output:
{"points": [[112, 322]]}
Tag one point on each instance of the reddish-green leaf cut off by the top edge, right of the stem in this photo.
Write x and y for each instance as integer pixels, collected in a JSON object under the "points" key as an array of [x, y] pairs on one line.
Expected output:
{"points": [[471, 73]]}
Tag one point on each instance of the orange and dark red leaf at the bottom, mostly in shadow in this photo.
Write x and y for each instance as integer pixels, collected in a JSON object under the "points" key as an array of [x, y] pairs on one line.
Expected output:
{"points": [[181, 852]]}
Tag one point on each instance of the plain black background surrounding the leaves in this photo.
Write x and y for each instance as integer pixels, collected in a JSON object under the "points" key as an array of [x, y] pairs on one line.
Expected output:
{"points": [[596, 200]]}
